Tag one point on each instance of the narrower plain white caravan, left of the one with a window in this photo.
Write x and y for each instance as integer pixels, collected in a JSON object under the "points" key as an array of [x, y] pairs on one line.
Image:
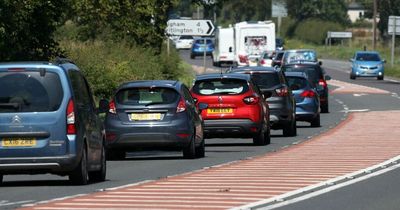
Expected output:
{"points": [[224, 46]]}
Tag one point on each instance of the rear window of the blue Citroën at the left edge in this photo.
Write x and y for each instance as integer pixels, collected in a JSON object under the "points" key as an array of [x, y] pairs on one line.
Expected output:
{"points": [[28, 91]]}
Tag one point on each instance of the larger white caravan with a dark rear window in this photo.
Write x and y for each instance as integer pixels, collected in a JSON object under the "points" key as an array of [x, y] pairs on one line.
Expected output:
{"points": [[252, 39]]}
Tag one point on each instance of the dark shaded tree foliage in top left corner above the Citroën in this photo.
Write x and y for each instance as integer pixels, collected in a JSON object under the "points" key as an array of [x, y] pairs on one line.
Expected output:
{"points": [[27, 27]]}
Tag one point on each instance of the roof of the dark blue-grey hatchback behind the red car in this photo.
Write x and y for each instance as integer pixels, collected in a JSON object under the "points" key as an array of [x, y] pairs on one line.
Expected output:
{"points": [[151, 83]]}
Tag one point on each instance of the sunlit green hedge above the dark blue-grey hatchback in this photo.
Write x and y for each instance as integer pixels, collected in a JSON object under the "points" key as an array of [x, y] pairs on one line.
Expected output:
{"points": [[108, 64]]}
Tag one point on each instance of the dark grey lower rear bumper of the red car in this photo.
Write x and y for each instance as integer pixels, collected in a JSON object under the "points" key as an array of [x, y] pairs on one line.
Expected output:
{"points": [[230, 128]]}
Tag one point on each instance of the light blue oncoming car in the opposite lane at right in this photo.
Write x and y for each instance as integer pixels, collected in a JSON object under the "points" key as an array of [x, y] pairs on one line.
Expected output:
{"points": [[367, 64]]}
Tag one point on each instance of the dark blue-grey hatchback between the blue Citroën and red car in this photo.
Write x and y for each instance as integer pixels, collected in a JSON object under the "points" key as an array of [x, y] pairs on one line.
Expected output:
{"points": [[158, 114]]}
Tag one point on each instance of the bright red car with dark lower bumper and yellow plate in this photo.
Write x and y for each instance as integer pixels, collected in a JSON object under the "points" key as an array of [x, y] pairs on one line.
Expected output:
{"points": [[236, 107]]}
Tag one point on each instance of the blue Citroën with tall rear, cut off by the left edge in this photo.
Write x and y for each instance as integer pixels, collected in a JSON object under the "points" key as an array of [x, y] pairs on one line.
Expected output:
{"points": [[49, 123]]}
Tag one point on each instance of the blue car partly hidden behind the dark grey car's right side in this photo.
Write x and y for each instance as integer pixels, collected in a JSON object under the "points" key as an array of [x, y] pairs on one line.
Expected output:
{"points": [[306, 96]]}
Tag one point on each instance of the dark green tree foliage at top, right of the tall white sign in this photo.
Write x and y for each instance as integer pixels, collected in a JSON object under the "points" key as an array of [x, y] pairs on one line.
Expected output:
{"points": [[328, 10]]}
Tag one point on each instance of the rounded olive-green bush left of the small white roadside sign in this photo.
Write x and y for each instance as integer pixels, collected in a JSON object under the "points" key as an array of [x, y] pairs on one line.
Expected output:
{"points": [[315, 31]]}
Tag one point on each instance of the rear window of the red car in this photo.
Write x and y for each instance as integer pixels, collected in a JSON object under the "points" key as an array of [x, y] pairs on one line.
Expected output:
{"points": [[221, 87]]}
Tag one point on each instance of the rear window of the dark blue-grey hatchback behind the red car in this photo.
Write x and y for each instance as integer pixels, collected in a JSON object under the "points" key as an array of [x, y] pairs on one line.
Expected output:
{"points": [[147, 96]]}
